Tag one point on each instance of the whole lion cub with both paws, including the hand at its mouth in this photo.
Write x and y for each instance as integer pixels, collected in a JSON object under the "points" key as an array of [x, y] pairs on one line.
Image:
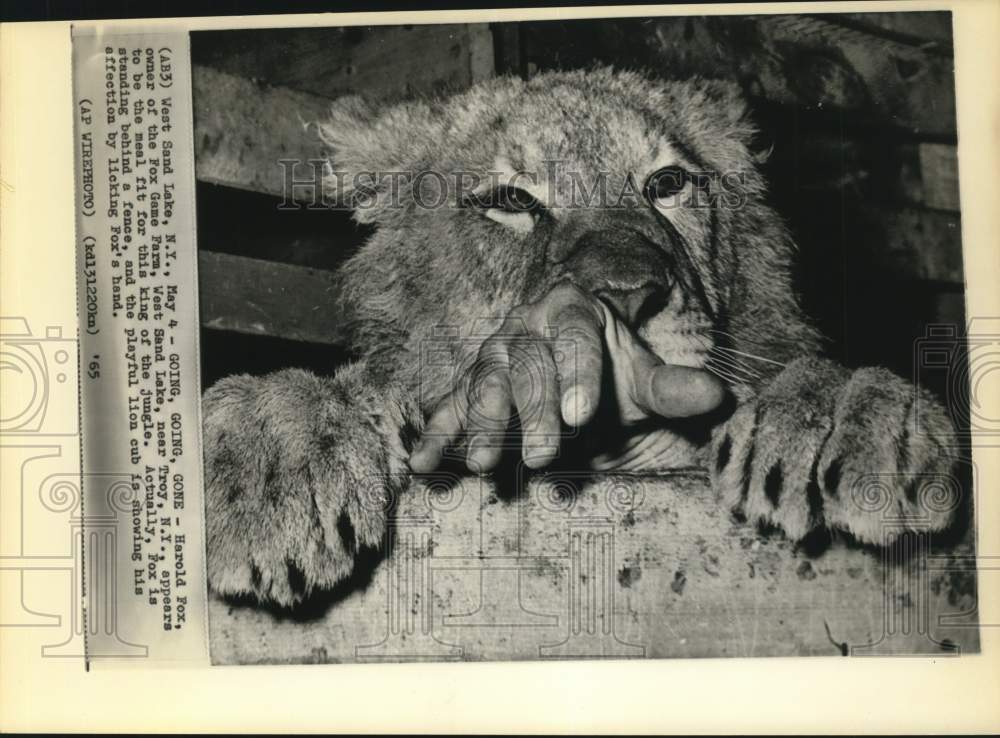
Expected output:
{"points": [[585, 251]]}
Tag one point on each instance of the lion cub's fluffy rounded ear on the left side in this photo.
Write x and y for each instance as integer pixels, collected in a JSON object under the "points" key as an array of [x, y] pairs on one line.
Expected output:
{"points": [[374, 150]]}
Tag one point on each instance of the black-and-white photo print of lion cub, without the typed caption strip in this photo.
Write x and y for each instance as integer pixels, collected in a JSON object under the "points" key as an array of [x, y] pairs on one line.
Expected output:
{"points": [[580, 339]]}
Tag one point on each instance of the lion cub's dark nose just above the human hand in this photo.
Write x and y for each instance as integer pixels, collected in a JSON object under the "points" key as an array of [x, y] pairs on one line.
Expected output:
{"points": [[622, 267]]}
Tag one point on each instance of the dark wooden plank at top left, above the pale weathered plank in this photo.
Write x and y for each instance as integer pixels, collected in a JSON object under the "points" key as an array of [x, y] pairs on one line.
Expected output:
{"points": [[378, 61]]}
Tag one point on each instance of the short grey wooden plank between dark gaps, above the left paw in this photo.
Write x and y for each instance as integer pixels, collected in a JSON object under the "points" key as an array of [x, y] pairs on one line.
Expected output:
{"points": [[267, 298]]}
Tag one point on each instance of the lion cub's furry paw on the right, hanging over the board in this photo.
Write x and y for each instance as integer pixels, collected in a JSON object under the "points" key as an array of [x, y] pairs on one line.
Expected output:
{"points": [[863, 452]]}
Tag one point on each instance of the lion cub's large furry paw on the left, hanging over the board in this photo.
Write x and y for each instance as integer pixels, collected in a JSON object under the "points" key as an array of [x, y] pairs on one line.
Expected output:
{"points": [[297, 481]]}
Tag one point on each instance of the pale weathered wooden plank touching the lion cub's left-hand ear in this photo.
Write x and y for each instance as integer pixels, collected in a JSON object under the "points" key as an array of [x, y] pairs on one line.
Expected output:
{"points": [[243, 130]]}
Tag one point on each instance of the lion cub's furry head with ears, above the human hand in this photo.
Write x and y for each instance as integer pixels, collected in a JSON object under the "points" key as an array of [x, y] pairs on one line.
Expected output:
{"points": [[625, 187]]}
